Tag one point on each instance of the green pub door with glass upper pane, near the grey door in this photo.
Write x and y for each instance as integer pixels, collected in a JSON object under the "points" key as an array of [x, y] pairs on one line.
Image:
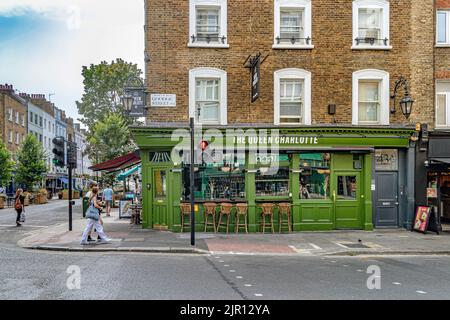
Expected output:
{"points": [[347, 198]]}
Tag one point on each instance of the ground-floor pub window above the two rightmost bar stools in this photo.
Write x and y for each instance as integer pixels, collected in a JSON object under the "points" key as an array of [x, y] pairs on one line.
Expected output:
{"points": [[272, 181]]}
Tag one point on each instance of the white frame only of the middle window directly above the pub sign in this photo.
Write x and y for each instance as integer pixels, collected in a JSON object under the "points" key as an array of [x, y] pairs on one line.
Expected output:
{"points": [[293, 73]]}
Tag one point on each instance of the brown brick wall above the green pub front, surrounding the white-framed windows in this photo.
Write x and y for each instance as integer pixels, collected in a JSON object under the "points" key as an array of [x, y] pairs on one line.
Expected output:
{"points": [[331, 62]]}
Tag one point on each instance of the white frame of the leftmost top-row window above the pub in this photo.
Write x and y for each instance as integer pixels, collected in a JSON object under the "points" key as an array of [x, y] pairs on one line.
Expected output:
{"points": [[222, 4]]}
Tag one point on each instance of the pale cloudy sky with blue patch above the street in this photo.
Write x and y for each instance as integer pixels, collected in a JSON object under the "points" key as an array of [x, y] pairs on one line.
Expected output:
{"points": [[45, 43]]}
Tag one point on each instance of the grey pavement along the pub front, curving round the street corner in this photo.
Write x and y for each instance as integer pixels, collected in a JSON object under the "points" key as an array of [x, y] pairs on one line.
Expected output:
{"points": [[132, 238]]}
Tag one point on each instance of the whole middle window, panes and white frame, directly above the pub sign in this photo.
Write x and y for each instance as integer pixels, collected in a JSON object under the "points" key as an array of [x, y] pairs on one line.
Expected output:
{"points": [[292, 97]]}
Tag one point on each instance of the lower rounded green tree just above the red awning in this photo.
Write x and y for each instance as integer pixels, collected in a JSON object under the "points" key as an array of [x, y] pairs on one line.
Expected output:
{"points": [[110, 139]]}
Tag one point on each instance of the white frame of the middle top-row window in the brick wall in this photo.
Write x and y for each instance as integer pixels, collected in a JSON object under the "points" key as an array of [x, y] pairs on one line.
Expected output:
{"points": [[306, 6]]}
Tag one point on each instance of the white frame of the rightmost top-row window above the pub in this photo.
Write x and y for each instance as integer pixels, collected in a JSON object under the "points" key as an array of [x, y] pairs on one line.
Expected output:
{"points": [[385, 33]]}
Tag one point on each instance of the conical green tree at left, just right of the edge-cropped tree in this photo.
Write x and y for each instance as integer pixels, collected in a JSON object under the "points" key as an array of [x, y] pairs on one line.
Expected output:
{"points": [[30, 163]]}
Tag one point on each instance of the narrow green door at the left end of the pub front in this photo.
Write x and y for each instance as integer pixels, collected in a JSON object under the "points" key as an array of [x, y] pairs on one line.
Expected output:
{"points": [[159, 198]]}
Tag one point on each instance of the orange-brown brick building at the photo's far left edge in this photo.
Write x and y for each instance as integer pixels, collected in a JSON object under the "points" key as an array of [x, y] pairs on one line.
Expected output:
{"points": [[13, 118]]}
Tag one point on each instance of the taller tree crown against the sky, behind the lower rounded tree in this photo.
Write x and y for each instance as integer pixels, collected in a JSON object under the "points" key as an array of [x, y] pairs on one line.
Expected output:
{"points": [[103, 89]]}
